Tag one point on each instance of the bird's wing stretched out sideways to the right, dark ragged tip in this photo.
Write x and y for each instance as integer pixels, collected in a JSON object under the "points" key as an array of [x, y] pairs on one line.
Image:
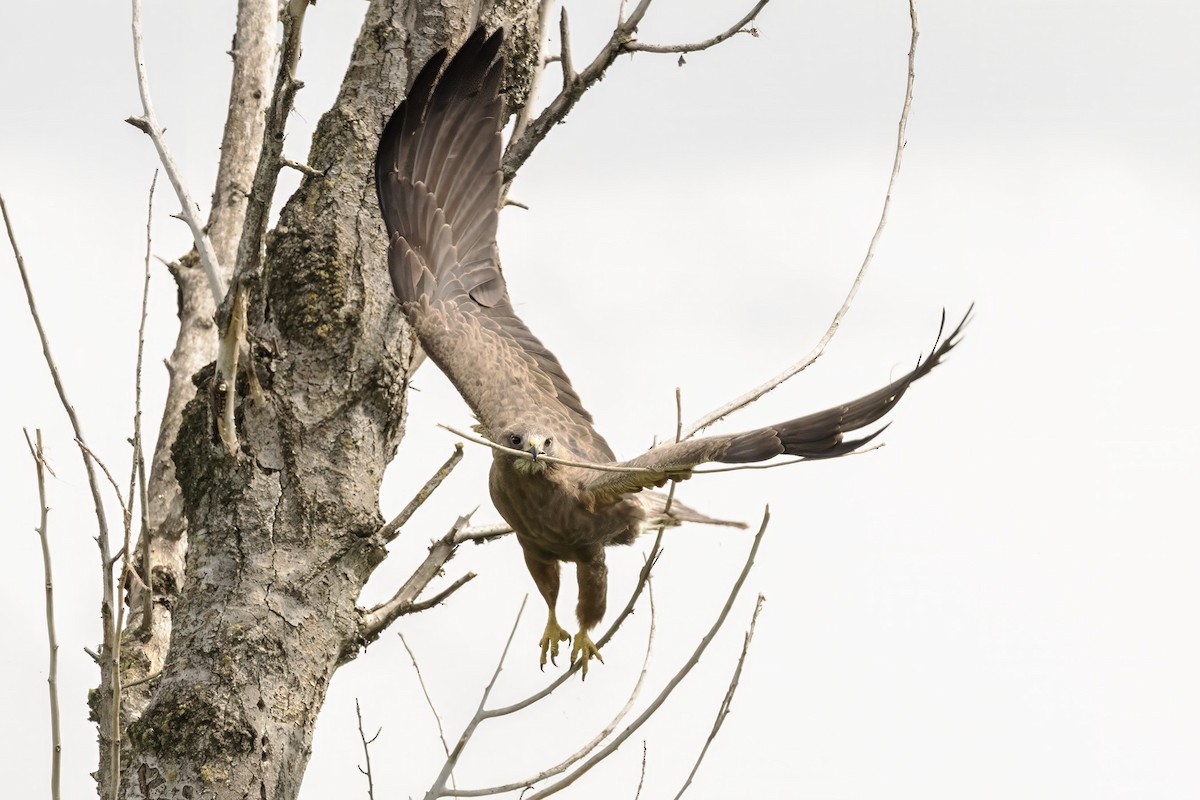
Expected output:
{"points": [[817, 436]]}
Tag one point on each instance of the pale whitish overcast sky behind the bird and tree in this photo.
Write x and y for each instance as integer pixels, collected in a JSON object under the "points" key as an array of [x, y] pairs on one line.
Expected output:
{"points": [[999, 604]]}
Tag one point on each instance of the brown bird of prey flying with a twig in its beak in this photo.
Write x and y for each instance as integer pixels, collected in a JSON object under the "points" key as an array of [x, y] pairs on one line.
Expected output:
{"points": [[439, 181]]}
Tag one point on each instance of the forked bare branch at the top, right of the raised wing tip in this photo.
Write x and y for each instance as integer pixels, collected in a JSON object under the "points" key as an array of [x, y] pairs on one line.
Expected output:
{"points": [[575, 85]]}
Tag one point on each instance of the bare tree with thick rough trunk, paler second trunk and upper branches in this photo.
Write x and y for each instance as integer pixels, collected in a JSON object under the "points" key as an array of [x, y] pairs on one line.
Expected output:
{"points": [[263, 488]]}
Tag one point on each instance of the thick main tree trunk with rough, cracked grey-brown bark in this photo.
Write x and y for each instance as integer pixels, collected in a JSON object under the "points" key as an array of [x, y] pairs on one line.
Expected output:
{"points": [[280, 539]]}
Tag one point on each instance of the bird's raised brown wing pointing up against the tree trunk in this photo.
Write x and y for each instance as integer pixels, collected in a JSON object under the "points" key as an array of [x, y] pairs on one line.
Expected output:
{"points": [[439, 181]]}
